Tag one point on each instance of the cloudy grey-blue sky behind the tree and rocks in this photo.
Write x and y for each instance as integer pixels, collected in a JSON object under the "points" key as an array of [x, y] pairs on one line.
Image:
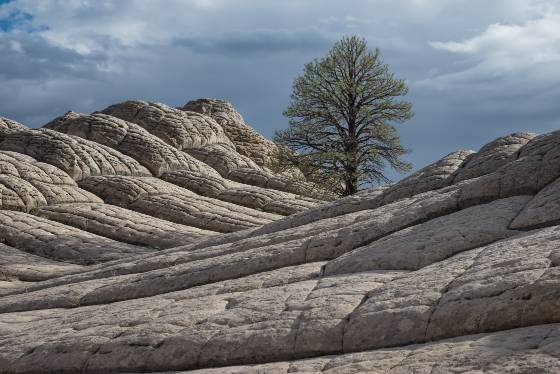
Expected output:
{"points": [[476, 69]]}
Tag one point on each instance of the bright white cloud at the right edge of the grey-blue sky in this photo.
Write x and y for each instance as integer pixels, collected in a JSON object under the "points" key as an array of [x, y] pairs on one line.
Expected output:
{"points": [[518, 52]]}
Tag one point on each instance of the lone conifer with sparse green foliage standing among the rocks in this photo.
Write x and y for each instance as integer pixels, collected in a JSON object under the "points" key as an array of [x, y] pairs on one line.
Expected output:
{"points": [[341, 115]]}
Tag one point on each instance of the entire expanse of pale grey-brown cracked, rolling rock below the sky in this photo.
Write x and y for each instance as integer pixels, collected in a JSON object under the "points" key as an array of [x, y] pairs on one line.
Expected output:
{"points": [[145, 238]]}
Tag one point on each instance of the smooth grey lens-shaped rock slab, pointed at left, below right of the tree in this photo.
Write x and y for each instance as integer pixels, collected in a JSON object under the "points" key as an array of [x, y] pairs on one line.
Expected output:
{"points": [[421, 245]]}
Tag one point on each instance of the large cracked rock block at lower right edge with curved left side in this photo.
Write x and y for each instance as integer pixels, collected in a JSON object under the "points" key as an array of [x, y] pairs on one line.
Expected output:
{"points": [[509, 279]]}
